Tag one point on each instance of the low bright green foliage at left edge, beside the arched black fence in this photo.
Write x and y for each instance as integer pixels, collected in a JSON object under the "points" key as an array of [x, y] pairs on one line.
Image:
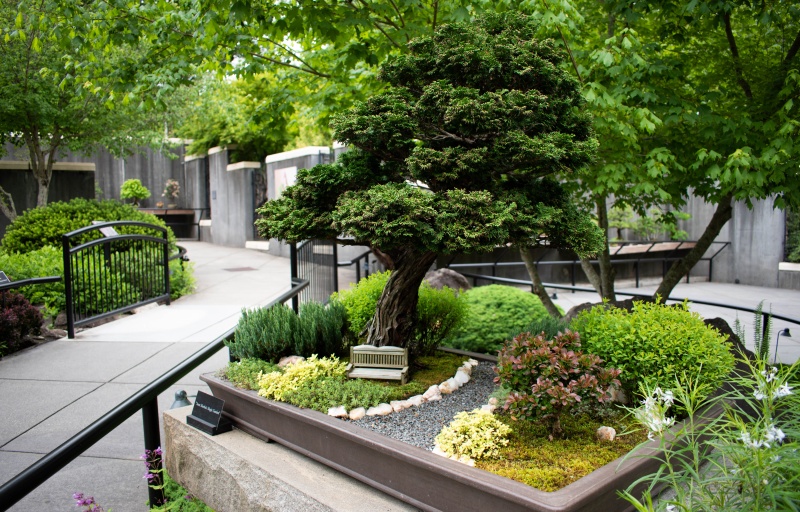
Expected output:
{"points": [[47, 261]]}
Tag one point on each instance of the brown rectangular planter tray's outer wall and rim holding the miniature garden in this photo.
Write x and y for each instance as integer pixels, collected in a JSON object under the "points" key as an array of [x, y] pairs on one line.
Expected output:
{"points": [[414, 475]]}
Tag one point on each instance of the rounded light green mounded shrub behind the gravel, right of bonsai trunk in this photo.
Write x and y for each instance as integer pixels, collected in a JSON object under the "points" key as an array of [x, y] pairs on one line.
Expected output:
{"points": [[494, 312]]}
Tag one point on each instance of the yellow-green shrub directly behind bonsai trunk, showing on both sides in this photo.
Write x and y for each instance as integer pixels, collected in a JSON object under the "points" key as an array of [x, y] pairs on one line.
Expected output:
{"points": [[439, 311]]}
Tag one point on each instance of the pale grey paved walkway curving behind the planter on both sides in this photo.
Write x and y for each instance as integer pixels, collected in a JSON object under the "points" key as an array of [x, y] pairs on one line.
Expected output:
{"points": [[50, 392]]}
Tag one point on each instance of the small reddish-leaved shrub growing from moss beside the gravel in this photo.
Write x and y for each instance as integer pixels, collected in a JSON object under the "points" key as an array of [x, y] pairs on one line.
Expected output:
{"points": [[548, 377]]}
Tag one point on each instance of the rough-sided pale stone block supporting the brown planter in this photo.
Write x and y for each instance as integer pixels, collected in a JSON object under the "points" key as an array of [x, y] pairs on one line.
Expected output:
{"points": [[237, 472]]}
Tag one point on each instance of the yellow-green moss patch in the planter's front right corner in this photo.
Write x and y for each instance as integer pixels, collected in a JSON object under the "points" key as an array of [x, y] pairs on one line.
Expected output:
{"points": [[533, 459]]}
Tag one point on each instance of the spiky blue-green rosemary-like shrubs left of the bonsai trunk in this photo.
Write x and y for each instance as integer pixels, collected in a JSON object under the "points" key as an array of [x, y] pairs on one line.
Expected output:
{"points": [[275, 332]]}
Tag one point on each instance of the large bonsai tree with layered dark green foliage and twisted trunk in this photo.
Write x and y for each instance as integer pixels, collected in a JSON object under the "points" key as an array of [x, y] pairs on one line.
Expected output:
{"points": [[452, 157]]}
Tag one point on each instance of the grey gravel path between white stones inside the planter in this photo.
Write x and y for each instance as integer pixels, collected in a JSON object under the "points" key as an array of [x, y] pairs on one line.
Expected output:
{"points": [[420, 425]]}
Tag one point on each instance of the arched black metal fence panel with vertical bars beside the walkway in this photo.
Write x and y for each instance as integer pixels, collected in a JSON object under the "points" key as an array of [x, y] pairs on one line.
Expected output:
{"points": [[113, 273]]}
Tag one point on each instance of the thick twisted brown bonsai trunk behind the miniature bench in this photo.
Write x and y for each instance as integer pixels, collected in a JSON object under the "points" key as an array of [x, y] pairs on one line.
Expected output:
{"points": [[396, 314]]}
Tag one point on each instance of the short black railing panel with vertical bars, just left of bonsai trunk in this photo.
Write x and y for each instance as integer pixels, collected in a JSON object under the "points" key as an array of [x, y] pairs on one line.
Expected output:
{"points": [[315, 261]]}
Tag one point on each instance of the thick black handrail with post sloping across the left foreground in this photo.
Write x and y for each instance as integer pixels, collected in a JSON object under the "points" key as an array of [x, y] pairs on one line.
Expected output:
{"points": [[145, 400]]}
